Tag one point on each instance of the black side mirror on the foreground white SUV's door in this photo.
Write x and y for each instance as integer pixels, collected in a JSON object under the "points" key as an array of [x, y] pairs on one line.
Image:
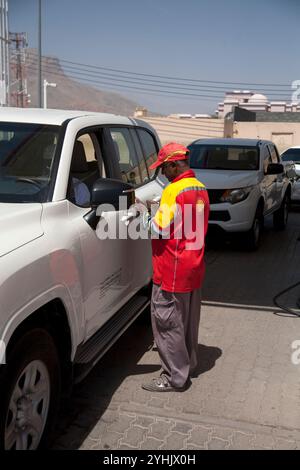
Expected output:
{"points": [[108, 191]]}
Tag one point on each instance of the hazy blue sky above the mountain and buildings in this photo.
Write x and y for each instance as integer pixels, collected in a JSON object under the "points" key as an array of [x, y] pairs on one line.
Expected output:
{"points": [[222, 41]]}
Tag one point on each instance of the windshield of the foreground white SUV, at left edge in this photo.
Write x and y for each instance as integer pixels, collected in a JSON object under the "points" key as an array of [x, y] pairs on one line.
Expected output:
{"points": [[26, 160]]}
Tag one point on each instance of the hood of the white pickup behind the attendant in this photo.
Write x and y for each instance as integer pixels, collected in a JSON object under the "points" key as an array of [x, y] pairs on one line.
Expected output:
{"points": [[227, 179]]}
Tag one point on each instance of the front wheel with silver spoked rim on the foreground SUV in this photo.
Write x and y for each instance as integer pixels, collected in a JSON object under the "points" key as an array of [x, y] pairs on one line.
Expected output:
{"points": [[29, 392]]}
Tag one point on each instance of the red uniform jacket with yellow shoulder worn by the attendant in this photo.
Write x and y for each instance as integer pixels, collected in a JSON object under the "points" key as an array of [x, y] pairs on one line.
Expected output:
{"points": [[180, 226]]}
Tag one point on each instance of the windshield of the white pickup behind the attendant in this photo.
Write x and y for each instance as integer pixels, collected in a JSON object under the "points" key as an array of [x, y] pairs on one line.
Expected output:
{"points": [[223, 157]]}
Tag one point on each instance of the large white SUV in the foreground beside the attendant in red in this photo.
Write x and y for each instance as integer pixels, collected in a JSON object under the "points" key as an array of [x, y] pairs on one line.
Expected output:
{"points": [[65, 295]]}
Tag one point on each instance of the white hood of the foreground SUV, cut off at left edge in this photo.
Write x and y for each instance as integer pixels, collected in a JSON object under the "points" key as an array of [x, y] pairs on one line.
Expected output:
{"points": [[19, 224]]}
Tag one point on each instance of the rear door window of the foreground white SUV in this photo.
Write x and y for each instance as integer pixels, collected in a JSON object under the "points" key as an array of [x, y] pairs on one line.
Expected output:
{"points": [[126, 155]]}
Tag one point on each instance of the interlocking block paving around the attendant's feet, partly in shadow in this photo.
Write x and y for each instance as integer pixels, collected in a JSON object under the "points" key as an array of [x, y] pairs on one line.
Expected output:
{"points": [[247, 394]]}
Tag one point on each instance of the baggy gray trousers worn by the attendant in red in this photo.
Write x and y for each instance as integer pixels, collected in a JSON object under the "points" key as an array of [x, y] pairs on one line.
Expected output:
{"points": [[175, 323]]}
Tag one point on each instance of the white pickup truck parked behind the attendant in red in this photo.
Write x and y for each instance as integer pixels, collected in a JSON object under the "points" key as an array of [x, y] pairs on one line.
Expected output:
{"points": [[246, 181]]}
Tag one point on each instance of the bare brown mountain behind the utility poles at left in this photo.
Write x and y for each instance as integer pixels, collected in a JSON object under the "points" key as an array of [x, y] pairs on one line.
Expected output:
{"points": [[70, 93]]}
